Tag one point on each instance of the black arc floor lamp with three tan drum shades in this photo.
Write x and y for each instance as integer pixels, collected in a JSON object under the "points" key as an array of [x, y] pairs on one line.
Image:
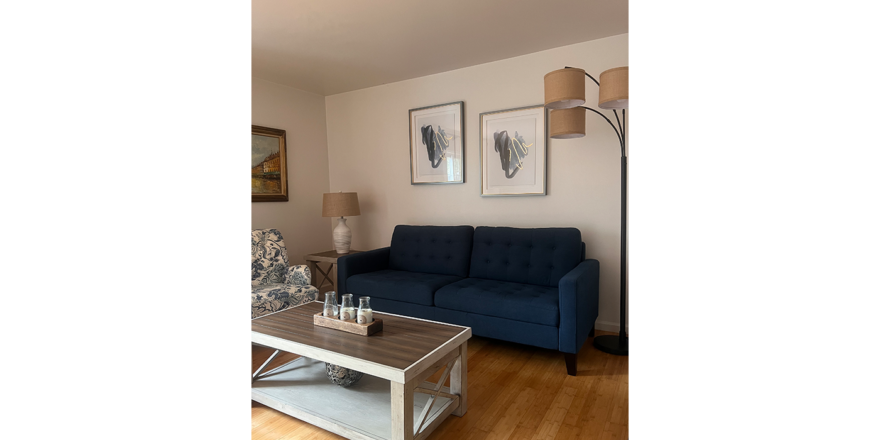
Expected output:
{"points": [[563, 94]]}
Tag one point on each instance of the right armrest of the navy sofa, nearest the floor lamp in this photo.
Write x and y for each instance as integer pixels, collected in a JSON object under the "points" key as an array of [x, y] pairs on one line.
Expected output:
{"points": [[578, 305]]}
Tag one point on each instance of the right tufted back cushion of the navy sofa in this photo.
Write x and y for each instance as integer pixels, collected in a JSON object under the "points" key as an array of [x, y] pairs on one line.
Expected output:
{"points": [[538, 256]]}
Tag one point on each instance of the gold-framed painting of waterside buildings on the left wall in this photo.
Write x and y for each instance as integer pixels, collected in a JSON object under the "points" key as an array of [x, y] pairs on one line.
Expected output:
{"points": [[268, 164]]}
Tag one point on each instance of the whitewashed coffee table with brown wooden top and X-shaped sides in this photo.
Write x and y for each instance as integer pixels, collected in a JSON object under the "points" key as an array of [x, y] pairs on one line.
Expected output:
{"points": [[393, 401]]}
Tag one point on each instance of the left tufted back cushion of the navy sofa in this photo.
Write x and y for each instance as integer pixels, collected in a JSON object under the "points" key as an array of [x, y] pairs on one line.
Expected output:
{"points": [[443, 250]]}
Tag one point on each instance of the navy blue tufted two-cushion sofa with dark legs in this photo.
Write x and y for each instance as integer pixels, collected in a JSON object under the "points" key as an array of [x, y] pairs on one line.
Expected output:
{"points": [[530, 286]]}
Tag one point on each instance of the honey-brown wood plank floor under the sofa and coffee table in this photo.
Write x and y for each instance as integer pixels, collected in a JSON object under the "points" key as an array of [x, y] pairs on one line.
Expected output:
{"points": [[514, 392]]}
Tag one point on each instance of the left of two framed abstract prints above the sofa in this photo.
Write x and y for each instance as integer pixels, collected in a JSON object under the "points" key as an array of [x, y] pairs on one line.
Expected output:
{"points": [[436, 144]]}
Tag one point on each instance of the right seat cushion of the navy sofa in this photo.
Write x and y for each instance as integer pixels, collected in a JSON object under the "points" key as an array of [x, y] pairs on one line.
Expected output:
{"points": [[520, 302]]}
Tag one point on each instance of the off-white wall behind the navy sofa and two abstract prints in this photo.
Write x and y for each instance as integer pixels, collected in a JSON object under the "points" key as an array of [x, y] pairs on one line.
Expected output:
{"points": [[368, 144]]}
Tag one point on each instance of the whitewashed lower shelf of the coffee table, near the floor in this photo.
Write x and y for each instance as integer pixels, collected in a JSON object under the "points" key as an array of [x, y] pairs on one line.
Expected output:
{"points": [[362, 411]]}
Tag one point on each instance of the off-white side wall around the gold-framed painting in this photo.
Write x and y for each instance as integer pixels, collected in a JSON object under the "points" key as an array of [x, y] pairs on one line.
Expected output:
{"points": [[302, 115]]}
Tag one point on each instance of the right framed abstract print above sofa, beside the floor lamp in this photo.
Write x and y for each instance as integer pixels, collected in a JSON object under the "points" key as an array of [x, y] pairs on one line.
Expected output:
{"points": [[513, 152]]}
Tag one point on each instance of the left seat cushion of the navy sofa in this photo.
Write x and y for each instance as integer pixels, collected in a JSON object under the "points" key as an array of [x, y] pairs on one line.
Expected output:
{"points": [[411, 287]]}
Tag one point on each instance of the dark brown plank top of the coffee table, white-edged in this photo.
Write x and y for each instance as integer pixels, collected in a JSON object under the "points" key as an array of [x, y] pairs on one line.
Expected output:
{"points": [[402, 342]]}
